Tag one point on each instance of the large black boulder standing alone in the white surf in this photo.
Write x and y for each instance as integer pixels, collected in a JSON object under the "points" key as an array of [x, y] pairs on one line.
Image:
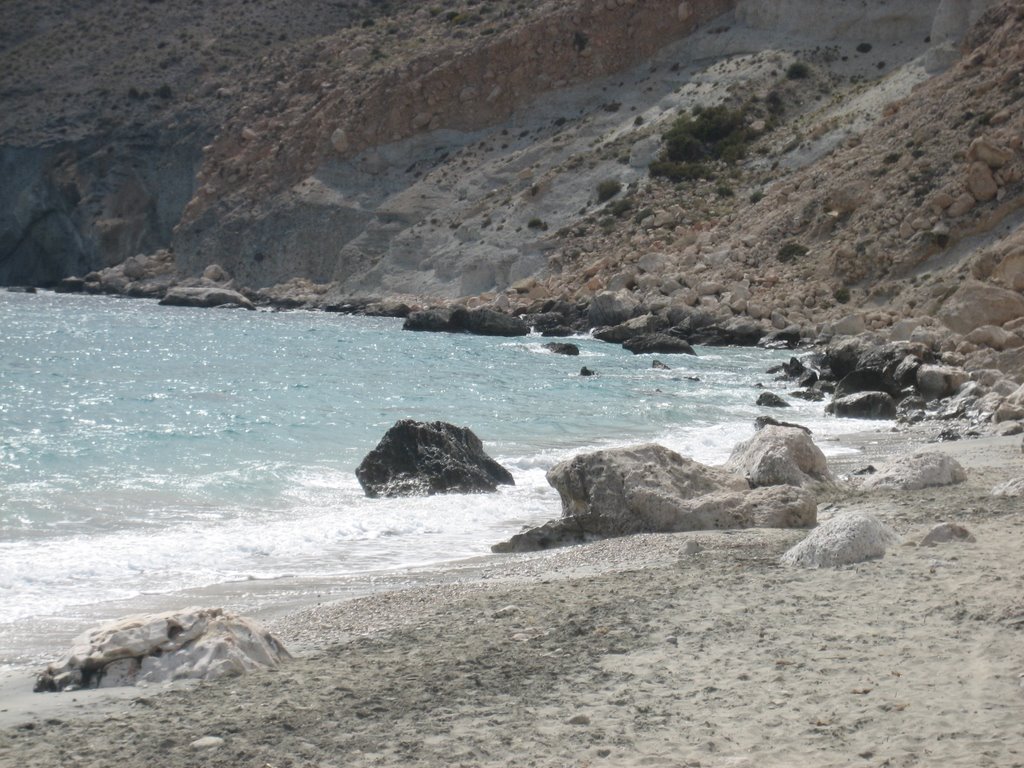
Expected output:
{"points": [[420, 458]]}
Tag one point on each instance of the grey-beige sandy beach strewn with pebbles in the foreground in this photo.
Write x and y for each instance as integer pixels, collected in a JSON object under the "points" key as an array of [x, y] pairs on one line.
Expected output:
{"points": [[624, 653]]}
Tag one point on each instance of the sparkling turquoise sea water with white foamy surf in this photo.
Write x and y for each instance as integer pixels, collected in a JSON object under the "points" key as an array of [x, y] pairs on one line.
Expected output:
{"points": [[146, 451]]}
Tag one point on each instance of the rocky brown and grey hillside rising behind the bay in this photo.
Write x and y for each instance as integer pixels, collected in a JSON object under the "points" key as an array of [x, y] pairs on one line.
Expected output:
{"points": [[505, 151]]}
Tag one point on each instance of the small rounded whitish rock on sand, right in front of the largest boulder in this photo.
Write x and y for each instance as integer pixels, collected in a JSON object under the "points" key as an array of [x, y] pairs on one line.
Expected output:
{"points": [[846, 539]]}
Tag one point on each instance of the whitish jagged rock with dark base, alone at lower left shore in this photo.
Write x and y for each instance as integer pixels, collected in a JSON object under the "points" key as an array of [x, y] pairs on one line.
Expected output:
{"points": [[197, 644]]}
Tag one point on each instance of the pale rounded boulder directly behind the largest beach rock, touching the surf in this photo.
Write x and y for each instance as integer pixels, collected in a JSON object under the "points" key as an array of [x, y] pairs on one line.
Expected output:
{"points": [[780, 456]]}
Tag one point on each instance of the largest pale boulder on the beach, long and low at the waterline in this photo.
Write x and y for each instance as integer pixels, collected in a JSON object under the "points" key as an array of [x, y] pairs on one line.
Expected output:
{"points": [[646, 489]]}
